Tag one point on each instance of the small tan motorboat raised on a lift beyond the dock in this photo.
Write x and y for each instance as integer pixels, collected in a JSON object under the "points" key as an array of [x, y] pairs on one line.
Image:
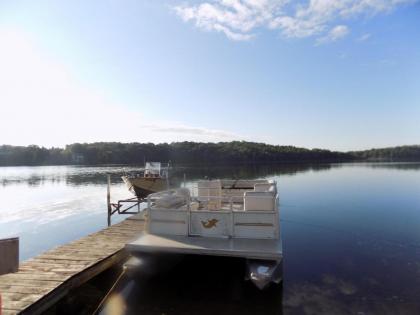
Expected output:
{"points": [[152, 178]]}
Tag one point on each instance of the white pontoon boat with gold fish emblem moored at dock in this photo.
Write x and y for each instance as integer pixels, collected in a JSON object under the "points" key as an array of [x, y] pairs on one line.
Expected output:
{"points": [[233, 218]]}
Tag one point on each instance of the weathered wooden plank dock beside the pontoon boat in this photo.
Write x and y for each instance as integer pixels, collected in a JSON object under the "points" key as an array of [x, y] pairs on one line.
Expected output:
{"points": [[43, 280]]}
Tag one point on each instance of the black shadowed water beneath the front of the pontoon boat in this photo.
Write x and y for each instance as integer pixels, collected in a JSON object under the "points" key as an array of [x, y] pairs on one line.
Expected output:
{"points": [[202, 285]]}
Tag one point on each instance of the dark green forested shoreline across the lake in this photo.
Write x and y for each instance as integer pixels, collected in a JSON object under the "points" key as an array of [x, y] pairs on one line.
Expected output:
{"points": [[191, 153]]}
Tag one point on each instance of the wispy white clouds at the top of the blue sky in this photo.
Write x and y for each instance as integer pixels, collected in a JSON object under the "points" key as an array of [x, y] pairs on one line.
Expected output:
{"points": [[239, 19]]}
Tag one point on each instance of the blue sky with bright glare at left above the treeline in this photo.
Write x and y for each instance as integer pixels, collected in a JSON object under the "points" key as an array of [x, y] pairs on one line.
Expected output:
{"points": [[333, 74]]}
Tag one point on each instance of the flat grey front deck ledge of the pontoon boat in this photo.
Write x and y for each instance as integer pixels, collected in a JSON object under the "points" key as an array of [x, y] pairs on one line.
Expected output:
{"points": [[268, 249]]}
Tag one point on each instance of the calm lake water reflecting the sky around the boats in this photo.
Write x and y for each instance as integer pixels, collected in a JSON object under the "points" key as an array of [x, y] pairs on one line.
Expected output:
{"points": [[351, 232]]}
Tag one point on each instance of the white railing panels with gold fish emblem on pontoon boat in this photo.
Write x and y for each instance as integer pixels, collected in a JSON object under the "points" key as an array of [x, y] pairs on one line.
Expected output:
{"points": [[175, 211]]}
